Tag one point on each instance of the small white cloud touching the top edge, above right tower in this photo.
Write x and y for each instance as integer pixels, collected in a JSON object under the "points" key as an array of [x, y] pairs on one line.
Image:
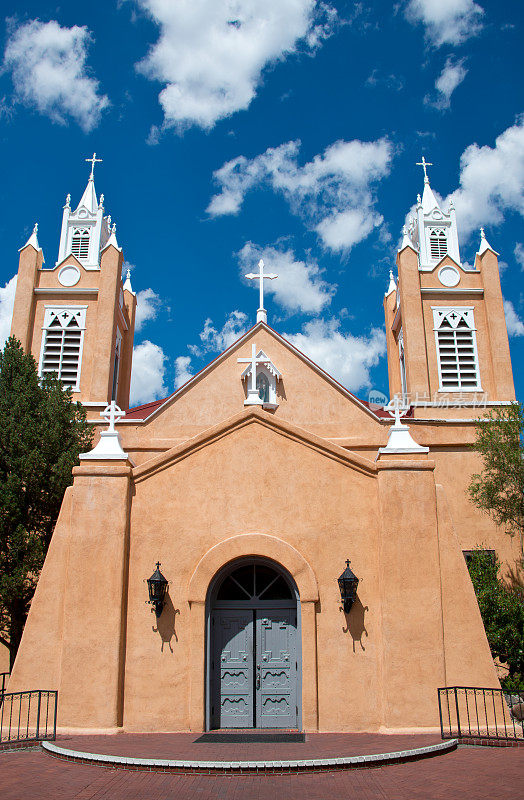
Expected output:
{"points": [[446, 21]]}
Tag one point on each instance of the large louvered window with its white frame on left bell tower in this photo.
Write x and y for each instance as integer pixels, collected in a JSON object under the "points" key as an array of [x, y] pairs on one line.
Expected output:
{"points": [[62, 341]]}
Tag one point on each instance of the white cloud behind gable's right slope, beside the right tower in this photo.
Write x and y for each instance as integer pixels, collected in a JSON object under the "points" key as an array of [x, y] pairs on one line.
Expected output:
{"points": [[347, 358]]}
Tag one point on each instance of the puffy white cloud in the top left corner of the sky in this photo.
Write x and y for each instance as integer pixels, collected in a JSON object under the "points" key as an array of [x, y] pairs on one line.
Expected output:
{"points": [[49, 71]]}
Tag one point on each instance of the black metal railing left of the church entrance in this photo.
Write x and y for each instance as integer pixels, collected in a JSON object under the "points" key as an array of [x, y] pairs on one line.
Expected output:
{"points": [[28, 716]]}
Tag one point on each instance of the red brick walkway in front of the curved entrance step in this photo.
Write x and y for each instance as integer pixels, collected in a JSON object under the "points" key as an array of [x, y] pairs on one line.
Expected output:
{"points": [[471, 773]]}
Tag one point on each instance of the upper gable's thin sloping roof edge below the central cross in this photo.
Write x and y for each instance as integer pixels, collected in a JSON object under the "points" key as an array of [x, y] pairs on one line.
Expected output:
{"points": [[148, 410]]}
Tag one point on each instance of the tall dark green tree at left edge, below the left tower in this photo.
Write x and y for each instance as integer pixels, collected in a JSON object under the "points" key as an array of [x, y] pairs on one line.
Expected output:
{"points": [[42, 432]]}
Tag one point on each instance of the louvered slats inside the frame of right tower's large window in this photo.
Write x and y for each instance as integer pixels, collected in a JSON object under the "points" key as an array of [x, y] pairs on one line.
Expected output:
{"points": [[457, 357]]}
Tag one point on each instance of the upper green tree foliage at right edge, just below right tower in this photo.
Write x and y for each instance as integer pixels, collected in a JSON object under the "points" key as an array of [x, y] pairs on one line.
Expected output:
{"points": [[499, 488]]}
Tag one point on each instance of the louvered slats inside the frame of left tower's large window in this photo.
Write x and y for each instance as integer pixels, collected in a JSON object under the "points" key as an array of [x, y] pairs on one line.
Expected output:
{"points": [[61, 354]]}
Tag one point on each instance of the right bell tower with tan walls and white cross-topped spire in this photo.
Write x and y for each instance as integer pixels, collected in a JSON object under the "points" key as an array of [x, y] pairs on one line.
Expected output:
{"points": [[445, 325]]}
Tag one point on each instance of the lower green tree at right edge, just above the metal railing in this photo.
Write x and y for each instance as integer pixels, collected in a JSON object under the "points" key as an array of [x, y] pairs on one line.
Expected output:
{"points": [[502, 611]]}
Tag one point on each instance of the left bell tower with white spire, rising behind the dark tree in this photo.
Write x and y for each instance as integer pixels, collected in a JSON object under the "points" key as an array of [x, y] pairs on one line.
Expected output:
{"points": [[77, 318]]}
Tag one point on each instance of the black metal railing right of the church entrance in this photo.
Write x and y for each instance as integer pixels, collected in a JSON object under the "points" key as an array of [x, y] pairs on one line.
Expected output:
{"points": [[467, 712]]}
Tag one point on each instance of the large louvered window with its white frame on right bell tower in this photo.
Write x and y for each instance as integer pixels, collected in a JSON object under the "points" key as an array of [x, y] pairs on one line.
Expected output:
{"points": [[456, 342]]}
